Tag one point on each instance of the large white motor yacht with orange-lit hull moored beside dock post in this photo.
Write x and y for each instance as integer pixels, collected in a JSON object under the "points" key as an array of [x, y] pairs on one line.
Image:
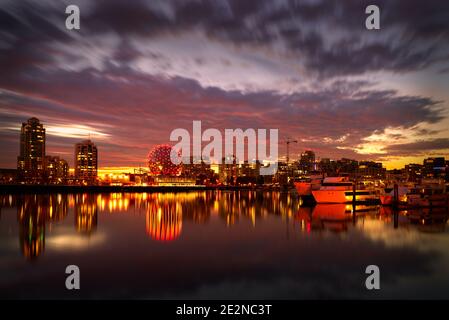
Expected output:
{"points": [[341, 190]]}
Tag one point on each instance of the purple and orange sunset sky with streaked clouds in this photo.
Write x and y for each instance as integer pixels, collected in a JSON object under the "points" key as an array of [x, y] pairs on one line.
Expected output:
{"points": [[136, 70]]}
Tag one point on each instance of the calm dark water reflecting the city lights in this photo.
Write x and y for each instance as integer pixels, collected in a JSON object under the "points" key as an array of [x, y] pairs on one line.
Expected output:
{"points": [[212, 244]]}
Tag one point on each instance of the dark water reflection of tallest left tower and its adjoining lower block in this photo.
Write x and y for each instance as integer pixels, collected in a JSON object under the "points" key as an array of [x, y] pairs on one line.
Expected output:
{"points": [[34, 212]]}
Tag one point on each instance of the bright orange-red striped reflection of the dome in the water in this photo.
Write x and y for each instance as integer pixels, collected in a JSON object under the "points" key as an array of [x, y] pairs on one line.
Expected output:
{"points": [[164, 221]]}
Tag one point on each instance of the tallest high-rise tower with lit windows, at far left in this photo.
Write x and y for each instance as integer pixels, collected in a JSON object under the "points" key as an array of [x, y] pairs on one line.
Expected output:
{"points": [[30, 162]]}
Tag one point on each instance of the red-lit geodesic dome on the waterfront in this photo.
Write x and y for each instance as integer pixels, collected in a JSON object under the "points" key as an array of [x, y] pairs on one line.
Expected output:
{"points": [[159, 161]]}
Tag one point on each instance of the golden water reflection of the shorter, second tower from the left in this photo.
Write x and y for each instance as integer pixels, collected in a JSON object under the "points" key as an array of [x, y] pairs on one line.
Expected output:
{"points": [[86, 213]]}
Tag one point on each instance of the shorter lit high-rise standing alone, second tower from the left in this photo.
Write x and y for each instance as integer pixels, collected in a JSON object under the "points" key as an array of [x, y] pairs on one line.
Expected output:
{"points": [[86, 161]]}
